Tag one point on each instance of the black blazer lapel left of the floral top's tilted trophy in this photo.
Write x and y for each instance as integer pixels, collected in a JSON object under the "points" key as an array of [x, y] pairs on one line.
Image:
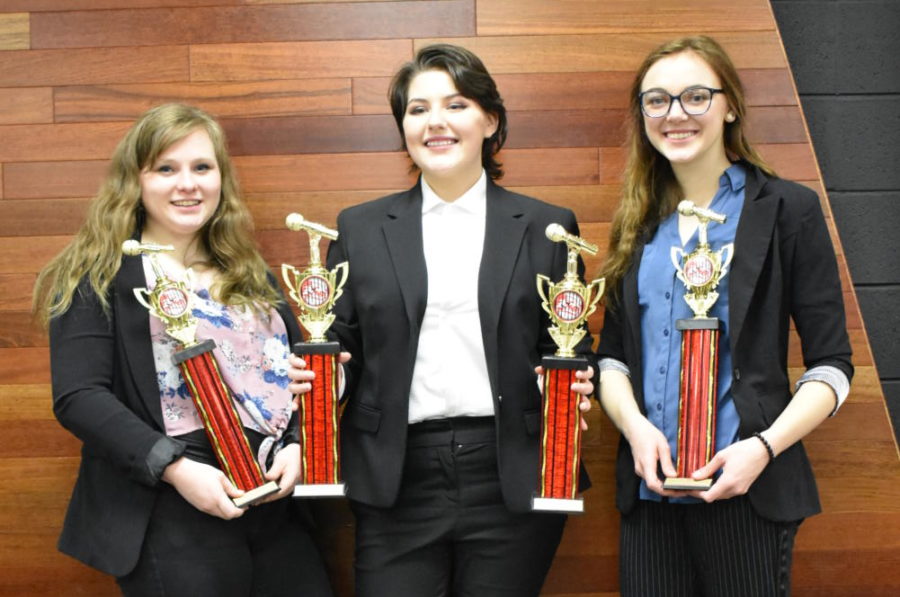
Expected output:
{"points": [[133, 322]]}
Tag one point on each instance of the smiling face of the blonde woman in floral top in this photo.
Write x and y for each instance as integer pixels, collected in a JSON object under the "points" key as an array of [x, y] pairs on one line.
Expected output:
{"points": [[181, 190]]}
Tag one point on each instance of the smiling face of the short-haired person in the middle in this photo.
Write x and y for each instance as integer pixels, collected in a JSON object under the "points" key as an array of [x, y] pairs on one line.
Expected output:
{"points": [[444, 133]]}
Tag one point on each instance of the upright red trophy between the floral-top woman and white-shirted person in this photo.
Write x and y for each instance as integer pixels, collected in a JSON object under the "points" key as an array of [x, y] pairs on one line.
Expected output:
{"points": [[315, 289]]}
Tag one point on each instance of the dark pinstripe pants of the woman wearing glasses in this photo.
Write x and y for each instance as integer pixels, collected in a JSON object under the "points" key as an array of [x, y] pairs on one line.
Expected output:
{"points": [[722, 549]]}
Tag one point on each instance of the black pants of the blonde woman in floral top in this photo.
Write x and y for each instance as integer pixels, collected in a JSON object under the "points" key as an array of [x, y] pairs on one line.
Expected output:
{"points": [[264, 553]]}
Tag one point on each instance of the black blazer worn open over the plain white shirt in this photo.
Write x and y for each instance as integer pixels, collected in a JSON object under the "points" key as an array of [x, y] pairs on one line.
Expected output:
{"points": [[379, 317]]}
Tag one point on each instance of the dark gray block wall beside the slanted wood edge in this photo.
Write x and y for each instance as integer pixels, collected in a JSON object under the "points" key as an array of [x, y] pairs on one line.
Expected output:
{"points": [[845, 56]]}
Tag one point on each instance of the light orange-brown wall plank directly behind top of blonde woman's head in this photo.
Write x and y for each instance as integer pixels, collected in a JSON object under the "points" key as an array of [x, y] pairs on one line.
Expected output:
{"points": [[224, 99]]}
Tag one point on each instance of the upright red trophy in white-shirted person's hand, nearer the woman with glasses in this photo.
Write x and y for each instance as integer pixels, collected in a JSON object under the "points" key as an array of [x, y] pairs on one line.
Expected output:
{"points": [[569, 303]]}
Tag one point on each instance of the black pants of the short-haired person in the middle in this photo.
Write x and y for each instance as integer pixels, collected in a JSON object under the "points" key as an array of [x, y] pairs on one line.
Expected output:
{"points": [[449, 532]]}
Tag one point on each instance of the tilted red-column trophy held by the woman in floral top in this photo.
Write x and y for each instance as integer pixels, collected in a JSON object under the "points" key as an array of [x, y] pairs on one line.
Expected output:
{"points": [[170, 301]]}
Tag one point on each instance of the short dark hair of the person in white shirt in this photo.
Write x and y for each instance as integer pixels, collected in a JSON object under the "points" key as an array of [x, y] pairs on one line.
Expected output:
{"points": [[471, 79]]}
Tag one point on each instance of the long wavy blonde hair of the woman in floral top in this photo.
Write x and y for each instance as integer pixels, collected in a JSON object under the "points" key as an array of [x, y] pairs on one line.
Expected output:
{"points": [[116, 214]]}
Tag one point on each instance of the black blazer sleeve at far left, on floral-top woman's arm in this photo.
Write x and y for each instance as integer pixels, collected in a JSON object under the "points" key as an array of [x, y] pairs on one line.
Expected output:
{"points": [[83, 363]]}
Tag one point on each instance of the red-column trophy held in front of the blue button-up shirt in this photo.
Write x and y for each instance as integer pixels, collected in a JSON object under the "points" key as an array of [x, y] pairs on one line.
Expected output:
{"points": [[701, 270]]}
